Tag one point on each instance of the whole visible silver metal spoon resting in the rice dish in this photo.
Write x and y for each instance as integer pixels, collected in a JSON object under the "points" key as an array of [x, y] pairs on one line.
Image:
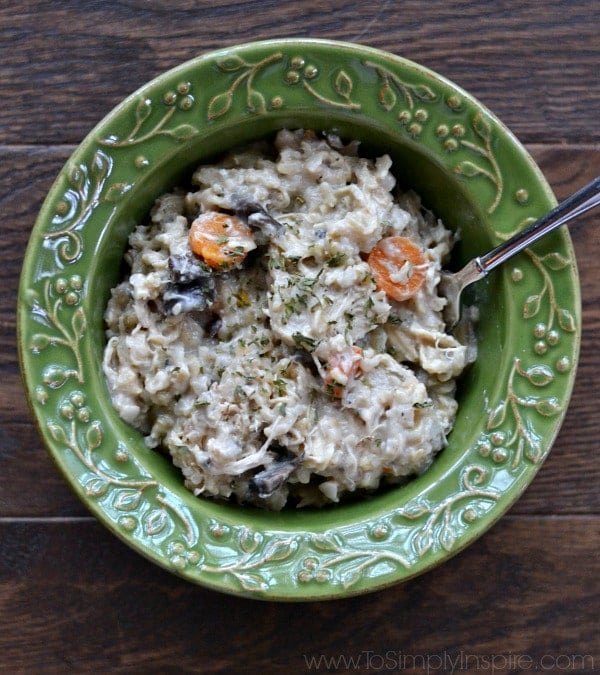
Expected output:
{"points": [[452, 284]]}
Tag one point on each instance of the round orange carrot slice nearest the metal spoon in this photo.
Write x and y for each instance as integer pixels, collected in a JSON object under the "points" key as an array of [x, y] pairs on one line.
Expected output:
{"points": [[398, 266]]}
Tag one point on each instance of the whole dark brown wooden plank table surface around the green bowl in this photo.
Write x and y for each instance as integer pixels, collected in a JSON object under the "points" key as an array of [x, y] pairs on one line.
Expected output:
{"points": [[72, 597]]}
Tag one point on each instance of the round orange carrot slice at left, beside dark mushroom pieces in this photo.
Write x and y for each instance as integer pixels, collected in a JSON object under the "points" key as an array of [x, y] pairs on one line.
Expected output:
{"points": [[222, 240]]}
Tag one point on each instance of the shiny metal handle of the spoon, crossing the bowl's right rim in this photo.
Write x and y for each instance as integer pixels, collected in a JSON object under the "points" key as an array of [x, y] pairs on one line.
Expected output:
{"points": [[580, 202]]}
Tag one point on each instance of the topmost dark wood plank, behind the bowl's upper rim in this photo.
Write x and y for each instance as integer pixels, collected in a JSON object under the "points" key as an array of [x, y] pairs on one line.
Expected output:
{"points": [[68, 63]]}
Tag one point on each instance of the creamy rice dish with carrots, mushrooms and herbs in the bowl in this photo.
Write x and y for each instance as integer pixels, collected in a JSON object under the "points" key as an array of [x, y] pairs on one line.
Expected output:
{"points": [[280, 333]]}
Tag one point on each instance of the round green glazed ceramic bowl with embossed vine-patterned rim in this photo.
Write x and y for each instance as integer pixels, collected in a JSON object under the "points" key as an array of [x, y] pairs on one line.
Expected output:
{"points": [[467, 167]]}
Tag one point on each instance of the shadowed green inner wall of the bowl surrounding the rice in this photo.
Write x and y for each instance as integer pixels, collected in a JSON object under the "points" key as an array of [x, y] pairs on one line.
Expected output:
{"points": [[414, 168]]}
